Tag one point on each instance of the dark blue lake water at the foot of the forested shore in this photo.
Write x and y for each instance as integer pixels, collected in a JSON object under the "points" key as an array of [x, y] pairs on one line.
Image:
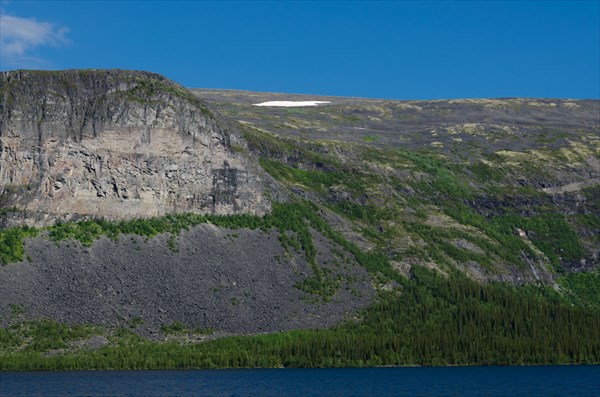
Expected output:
{"points": [[569, 381]]}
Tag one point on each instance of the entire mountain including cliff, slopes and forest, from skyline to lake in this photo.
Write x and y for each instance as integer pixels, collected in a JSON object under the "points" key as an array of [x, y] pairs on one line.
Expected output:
{"points": [[132, 203]]}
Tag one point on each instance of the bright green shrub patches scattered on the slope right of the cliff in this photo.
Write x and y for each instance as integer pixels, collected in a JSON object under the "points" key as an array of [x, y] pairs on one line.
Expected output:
{"points": [[441, 184]]}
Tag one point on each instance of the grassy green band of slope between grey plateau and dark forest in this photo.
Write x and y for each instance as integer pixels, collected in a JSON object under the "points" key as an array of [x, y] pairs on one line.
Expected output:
{"points": [[387, 206]]}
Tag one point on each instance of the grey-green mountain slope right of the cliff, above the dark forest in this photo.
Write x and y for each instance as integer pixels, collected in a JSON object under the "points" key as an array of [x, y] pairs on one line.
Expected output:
{"points": [[506, 189]]}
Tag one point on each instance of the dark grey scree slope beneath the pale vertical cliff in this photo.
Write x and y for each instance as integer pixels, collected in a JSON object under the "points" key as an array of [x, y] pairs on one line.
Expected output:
{"points": [[234, 281]]}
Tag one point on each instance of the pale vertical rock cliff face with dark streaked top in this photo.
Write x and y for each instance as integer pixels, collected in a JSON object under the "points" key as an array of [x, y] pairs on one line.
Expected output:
{"points": [[118, 144]]}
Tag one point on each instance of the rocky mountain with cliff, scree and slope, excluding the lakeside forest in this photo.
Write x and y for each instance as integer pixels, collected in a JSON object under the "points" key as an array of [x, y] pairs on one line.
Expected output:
{"points": [[500, 190]]}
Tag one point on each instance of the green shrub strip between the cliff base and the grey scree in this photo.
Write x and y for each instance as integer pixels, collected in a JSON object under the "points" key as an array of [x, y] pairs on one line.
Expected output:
{"points": [[292, 220]]}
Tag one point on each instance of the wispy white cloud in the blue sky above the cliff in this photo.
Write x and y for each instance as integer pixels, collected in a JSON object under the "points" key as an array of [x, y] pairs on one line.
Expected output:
{"points": [[20, 37]]}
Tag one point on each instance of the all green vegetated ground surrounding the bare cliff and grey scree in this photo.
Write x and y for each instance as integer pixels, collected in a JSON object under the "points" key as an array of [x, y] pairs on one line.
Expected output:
{"points": [[475, 258]]}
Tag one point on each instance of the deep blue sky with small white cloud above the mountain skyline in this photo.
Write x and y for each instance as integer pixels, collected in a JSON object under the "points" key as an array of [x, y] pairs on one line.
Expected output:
{"points": [[400, 50]]}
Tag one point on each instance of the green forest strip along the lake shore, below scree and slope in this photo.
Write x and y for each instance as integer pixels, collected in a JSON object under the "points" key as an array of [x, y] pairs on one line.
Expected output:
{"points": [[428, 320]]}
